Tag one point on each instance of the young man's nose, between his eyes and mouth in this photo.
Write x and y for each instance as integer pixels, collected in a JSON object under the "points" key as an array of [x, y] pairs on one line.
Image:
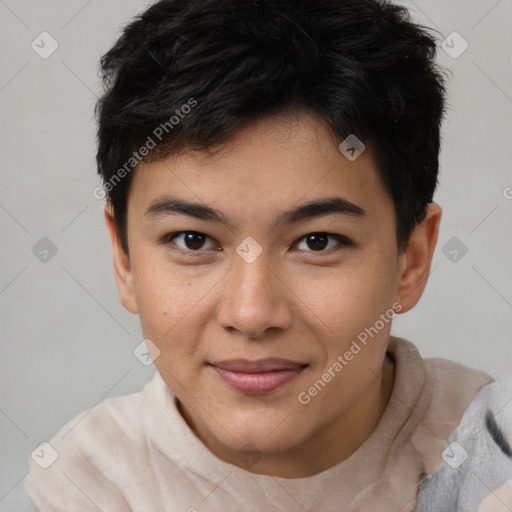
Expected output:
{"points": [[255, 299]]}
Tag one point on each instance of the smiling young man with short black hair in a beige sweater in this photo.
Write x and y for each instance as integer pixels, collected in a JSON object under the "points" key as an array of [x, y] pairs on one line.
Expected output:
{"points": [[270, 167]]}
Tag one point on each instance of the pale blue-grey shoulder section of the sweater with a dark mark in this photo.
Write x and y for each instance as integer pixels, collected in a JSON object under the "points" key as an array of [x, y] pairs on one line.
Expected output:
{"points": [[477, 458]]}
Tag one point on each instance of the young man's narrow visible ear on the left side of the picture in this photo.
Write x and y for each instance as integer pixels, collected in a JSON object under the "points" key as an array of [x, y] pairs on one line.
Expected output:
{"points": [[122, 269]]}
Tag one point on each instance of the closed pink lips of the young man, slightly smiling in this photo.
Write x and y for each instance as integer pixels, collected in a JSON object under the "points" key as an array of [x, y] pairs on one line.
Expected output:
{"points": [[257, 377]]}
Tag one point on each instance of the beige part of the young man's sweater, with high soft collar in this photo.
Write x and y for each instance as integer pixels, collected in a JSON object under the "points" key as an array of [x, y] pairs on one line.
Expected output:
{"points": [[136, 453]]}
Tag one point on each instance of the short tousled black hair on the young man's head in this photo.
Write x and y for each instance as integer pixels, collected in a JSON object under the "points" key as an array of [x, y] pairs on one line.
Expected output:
{"points": [[189, 74]]}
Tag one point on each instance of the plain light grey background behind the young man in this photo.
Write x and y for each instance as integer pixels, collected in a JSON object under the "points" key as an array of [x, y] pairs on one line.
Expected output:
{"points": [[68, 343]]}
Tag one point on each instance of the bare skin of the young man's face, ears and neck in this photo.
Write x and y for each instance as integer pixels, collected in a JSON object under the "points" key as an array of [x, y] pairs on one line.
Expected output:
{"points": [[295, 301]]}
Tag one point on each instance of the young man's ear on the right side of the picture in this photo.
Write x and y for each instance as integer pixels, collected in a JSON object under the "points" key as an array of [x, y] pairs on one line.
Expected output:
{"points": [[415, 262]]}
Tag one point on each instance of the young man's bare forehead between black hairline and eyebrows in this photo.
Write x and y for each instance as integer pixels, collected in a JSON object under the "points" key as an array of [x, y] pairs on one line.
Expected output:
{"points": [[270, 166]]}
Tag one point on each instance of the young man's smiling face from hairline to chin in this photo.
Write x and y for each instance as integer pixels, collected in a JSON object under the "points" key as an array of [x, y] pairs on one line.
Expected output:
{"points": [[248, 304]]}
